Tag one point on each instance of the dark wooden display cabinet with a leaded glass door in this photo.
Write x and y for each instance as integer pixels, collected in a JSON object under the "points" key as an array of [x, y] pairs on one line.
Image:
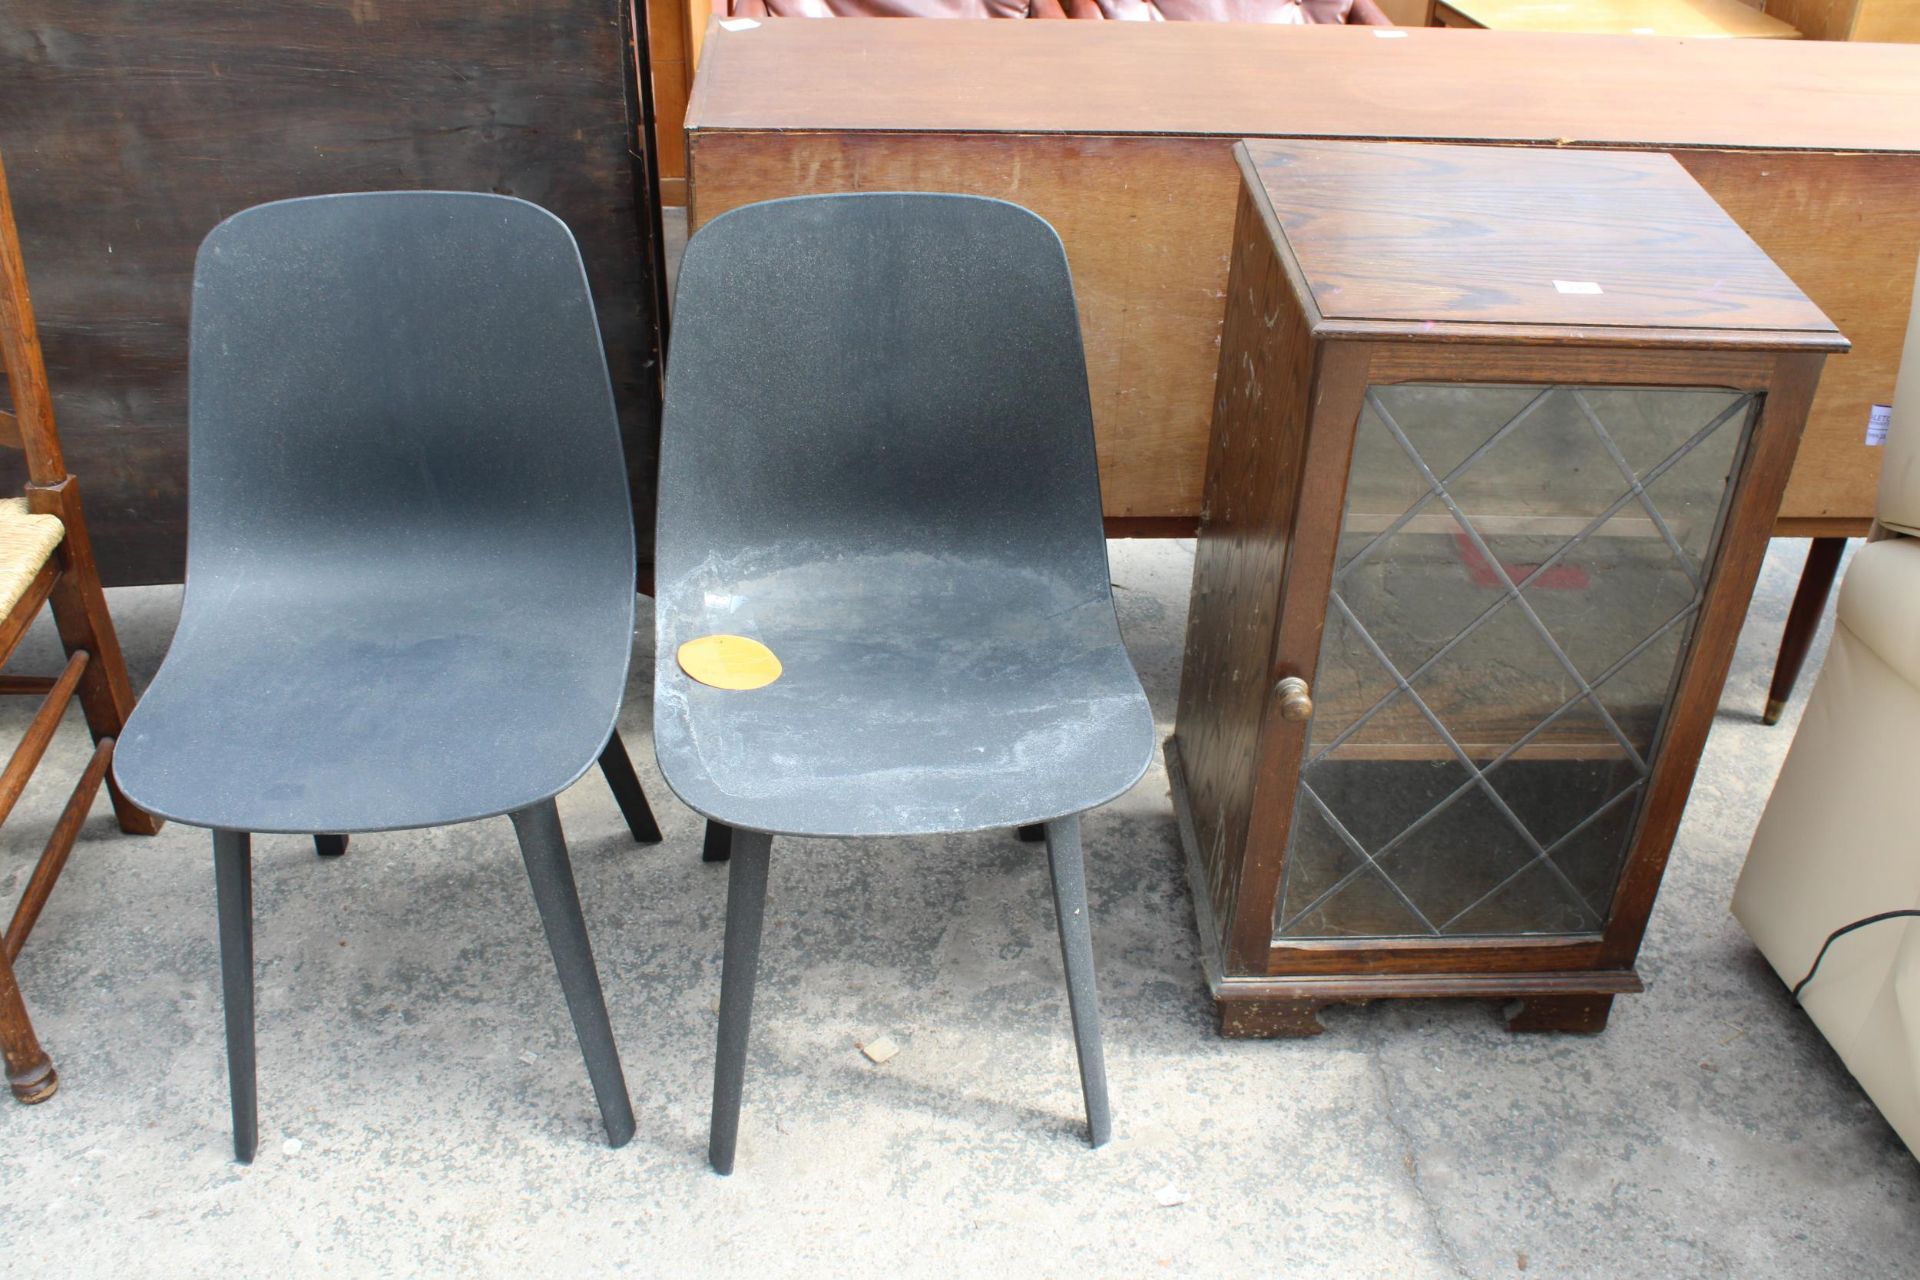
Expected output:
{"points": [[1499, 440]]}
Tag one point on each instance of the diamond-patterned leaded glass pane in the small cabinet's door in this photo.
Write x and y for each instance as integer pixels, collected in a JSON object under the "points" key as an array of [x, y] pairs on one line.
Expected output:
{"points": [[1518, 579]]}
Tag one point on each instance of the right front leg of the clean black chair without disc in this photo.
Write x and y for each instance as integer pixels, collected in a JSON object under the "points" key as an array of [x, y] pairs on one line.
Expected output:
{"points": [[552, 876]]}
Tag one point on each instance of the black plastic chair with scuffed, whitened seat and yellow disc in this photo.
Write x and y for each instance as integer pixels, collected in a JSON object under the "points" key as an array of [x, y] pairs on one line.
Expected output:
{"points": [[878, 460]]}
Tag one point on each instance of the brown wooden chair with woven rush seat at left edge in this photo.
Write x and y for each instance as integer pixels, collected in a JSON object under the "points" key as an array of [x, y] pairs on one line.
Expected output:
{"points": [[47, 559]]}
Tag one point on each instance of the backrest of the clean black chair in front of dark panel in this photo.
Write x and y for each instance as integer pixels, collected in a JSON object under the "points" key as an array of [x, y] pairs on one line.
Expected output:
{"points": [[395, 387]]}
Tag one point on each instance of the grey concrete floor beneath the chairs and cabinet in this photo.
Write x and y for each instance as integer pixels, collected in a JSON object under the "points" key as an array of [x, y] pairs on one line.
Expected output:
{"points": [[425, 1112]]}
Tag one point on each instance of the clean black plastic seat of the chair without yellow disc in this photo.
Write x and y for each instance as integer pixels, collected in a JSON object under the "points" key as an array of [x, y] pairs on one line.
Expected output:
{"points": [[295, 711]]}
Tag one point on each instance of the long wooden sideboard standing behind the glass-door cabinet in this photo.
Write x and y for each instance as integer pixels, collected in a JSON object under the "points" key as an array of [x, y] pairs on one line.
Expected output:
{"points": [[1122, 137]]}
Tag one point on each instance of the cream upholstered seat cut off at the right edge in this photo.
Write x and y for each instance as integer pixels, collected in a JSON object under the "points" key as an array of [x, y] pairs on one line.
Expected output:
{"points": [[1842, 832]]}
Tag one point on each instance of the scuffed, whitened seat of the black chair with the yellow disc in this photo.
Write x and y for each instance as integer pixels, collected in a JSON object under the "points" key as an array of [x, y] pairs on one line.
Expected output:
{"points": [[917, 698]]}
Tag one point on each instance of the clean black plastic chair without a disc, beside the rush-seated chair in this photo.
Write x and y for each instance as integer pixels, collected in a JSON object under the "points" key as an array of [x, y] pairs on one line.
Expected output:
{"points": [[410, 569]]}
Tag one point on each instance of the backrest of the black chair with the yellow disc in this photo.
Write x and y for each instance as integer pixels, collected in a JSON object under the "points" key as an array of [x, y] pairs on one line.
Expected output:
{"points": [[878, 373]]}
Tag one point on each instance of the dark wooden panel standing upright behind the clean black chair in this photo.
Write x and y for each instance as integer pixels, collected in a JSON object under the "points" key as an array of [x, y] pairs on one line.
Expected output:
{"points": [[132, 130]]}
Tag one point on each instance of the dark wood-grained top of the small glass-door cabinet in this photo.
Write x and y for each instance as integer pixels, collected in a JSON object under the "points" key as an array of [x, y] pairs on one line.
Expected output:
{"points": [[1522, 245]]}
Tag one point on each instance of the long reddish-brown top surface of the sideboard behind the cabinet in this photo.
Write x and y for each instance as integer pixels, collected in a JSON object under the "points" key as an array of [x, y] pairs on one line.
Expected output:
{"points": [[1243, 82]]}
